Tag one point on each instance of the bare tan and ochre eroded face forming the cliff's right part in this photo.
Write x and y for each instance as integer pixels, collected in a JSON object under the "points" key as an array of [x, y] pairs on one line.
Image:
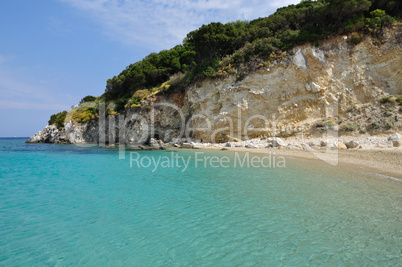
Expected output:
{"points": [[312, 84]]}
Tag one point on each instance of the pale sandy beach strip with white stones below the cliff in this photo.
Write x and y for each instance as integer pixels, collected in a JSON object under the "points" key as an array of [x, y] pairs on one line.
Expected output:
{"points": [[373, 154]]}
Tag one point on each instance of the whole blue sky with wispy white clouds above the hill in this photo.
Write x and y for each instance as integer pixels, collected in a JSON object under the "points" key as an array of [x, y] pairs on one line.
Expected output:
{"points": [[55, 52]]}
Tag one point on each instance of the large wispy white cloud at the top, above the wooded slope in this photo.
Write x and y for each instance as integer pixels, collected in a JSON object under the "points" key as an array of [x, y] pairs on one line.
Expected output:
{"points": [[161, 24]]}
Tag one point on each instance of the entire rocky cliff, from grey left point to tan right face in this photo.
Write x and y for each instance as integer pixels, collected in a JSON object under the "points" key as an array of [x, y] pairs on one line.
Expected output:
{"points": [[335, 86]]}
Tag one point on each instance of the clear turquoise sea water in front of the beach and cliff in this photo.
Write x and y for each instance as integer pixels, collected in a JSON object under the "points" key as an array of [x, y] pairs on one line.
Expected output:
{"points": [[68, 206]]}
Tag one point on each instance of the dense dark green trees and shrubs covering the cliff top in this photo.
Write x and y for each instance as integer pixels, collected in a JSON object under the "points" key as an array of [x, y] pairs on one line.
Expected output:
{"points": [[236, 48]]}
